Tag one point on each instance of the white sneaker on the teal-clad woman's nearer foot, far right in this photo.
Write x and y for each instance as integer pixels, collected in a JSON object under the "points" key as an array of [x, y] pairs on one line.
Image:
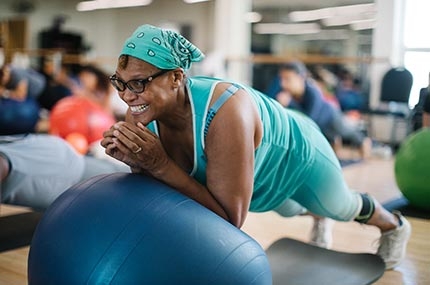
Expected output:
{"points": [[392, 244]]}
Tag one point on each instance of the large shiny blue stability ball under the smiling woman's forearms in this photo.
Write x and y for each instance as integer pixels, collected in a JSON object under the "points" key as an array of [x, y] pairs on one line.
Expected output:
{"points": [[131, 229]]}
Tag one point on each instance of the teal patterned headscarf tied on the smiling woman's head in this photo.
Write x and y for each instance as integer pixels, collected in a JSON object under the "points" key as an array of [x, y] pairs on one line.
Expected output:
{"points": [[162, 48]]}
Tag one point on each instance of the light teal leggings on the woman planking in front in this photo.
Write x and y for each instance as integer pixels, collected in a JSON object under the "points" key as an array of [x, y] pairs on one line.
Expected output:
{"points": [[324, 192]]}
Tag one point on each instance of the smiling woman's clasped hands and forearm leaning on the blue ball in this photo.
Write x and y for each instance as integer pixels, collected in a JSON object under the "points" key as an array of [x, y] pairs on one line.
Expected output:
{"points": [[138, 147]]}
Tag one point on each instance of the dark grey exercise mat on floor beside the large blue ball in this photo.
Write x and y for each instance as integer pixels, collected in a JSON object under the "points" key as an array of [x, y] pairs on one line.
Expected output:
{"points": [[296, 262]]}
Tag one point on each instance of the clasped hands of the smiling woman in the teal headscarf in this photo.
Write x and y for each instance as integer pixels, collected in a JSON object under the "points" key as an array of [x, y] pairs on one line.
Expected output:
{"points": [[136, 146]]}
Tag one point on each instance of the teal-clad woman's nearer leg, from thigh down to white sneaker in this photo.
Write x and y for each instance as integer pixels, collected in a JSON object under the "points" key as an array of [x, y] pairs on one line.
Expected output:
{"points": [[326, 194]]}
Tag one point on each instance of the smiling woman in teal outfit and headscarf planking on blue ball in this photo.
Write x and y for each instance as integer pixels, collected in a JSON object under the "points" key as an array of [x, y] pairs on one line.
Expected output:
{"points": [[229, 147]]}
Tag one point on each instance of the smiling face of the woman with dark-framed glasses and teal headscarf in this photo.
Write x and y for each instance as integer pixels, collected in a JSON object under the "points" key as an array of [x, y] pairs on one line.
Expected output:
{"points": [[155, 101]]}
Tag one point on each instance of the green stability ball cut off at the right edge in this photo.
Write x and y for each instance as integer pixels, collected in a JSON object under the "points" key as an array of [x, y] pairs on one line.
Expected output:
{"points": [[412, 169]]}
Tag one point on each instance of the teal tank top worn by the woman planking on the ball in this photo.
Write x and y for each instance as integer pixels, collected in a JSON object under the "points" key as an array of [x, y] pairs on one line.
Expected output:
{"points": [[283, 156]]}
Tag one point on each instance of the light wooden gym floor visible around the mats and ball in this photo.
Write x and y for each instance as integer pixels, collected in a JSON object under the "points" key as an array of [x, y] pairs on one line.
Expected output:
{"points": [[375, 176]]}
